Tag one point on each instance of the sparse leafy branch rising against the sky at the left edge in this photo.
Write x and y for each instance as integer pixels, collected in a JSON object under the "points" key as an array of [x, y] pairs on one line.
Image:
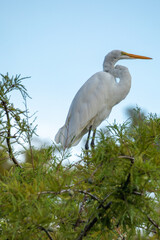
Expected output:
{"points": [[14, 122]]}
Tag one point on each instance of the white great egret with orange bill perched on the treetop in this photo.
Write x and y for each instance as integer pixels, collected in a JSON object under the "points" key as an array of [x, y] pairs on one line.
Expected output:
{"points": [[94, 101]]}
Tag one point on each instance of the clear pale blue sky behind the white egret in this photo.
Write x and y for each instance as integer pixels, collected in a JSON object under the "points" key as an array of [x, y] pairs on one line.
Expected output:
{"points": [[60, 44]]}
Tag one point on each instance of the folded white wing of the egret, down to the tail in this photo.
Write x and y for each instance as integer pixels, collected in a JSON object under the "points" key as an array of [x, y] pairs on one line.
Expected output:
{"points": [[89, 107]]}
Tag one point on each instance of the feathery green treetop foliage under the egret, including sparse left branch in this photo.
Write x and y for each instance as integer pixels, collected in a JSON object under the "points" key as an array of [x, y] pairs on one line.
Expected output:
{"points": [[109, 192]]}
